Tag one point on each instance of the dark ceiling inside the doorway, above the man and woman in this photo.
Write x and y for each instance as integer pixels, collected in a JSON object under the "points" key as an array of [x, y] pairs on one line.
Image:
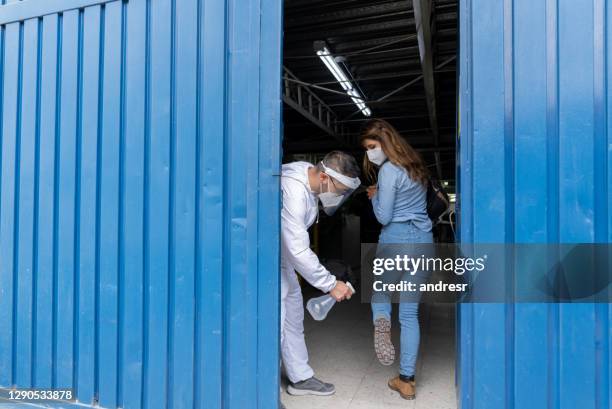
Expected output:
{"points": [[380, 43]]}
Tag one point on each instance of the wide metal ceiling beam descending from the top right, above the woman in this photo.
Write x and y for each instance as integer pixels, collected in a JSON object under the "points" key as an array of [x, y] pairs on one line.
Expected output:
{"points": [[422, 18]]}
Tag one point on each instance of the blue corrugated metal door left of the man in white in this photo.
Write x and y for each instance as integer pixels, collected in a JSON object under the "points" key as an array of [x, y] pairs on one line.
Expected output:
{"points": [[139, 200]]}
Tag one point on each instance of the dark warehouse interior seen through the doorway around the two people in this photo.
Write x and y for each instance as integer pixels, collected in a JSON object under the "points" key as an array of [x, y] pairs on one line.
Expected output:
{"points": [[400, 60]]}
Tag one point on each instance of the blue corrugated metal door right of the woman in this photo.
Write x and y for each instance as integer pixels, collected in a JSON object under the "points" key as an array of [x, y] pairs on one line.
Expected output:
{"points": [[535, 167]]}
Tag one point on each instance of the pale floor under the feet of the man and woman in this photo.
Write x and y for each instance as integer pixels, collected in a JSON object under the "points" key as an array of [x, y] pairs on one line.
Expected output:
{"points": [[341, 352]]}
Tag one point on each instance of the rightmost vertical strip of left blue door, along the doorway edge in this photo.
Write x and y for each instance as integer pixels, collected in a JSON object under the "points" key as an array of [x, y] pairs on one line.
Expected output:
{"points": [[268, 285]]}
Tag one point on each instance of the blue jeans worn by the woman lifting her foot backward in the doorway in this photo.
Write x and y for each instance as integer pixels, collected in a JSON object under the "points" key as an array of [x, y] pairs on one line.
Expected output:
{"points": [[405, 232]]}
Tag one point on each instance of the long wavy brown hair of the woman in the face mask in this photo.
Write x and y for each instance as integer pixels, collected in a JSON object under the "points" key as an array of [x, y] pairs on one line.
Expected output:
{"points": [[398, 151]]}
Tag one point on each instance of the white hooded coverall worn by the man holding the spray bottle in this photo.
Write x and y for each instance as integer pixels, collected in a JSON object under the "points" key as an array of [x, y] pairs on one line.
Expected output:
{"points": [[299, 212]]}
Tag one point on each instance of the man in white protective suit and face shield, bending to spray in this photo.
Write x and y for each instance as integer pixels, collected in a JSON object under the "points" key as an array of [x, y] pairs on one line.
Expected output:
{"points": [[303, 185]]}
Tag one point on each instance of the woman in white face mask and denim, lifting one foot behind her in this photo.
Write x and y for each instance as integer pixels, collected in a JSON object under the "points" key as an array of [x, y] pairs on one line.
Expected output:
{"points": [[400, 205]]}
